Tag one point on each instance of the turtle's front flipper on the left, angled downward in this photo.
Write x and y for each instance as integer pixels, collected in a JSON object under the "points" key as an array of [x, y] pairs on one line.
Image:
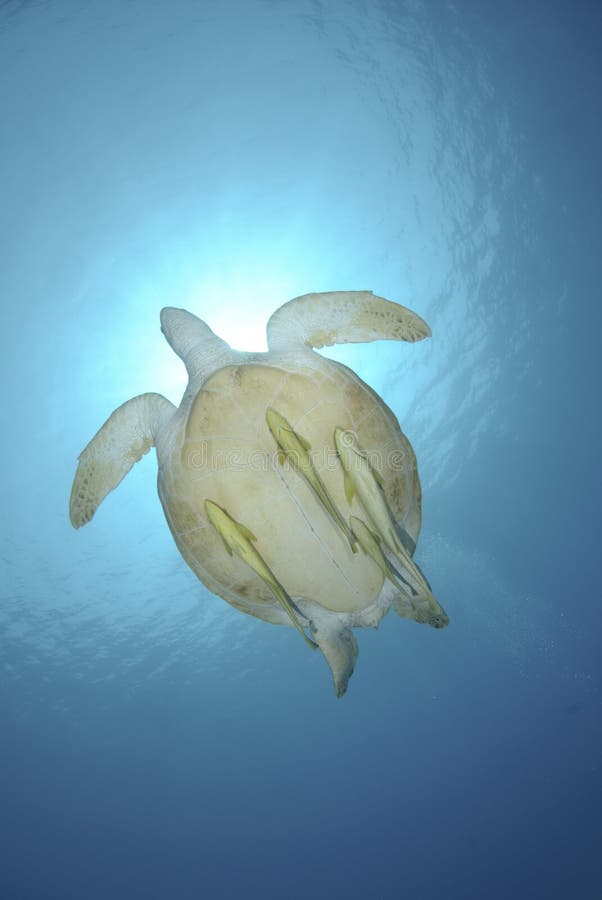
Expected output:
{"points": [[125, 437]]}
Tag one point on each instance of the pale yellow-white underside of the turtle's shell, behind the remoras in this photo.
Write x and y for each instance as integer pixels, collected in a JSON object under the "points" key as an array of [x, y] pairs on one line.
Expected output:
{"points": [[226, 453]]}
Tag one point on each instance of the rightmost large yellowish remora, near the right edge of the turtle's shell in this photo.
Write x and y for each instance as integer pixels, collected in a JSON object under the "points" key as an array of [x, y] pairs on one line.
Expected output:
{"points": [[363, 480]]}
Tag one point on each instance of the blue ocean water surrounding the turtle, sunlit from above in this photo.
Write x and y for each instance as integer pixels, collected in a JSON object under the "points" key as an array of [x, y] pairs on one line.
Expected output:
{"points": [[225, 157]]}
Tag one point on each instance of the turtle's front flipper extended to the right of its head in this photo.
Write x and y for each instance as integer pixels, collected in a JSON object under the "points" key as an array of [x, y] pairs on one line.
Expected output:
{"points": [[342, 317]]}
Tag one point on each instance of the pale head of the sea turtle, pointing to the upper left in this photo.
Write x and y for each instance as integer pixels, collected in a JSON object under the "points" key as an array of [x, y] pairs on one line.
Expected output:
{"points": [[197, 346]]}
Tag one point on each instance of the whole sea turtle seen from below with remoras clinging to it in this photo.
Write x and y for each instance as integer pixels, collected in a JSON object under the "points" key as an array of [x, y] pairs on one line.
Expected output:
{"points": [[286, 481]]}
